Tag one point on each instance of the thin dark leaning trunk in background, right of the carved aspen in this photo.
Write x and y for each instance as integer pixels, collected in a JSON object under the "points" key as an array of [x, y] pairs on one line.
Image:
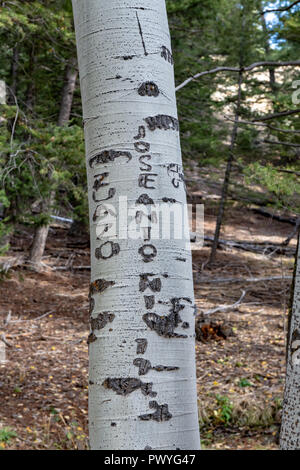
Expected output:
{"points": [[226, 182]]}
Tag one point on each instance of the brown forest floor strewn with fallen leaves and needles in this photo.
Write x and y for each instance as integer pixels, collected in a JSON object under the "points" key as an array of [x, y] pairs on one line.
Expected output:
{"points": [[44, 384]]}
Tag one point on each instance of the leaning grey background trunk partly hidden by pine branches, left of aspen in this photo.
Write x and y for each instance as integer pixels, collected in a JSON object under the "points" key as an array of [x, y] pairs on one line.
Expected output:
{"points": [[41, 233]]}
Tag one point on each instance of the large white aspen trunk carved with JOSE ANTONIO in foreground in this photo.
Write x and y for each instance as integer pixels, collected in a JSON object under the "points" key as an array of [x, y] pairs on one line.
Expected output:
{"points": [[142, 347]]}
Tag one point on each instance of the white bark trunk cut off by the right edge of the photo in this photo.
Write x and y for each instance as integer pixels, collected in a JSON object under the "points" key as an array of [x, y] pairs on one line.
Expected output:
{"points": [[290, 430]]}
